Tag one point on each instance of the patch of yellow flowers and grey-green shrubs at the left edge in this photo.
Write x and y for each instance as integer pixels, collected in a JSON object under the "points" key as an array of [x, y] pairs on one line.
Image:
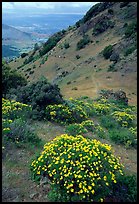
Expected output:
{"points": [[15, 127]]}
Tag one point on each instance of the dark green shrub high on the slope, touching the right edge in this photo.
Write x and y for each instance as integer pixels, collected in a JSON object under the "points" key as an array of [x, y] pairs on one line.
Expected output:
{"points": [[131, 29]]}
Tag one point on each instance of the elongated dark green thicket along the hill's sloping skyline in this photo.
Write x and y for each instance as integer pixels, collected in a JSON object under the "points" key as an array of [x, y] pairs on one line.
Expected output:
{"points": [[51, 43]]}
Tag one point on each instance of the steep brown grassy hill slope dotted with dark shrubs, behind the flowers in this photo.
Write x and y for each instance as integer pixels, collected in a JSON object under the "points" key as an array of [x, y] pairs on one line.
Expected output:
{"points": [[76, 63]]}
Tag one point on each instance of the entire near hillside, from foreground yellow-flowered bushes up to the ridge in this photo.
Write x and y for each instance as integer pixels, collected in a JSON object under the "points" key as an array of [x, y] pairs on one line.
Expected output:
{"points": [[69, 114]]}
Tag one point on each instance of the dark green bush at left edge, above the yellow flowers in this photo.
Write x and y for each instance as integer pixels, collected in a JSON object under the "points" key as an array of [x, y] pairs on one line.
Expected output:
{"points": [[11, 79]]}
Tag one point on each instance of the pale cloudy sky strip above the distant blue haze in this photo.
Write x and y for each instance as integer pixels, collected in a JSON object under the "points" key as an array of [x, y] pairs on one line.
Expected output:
{"points": [[46, 7]]}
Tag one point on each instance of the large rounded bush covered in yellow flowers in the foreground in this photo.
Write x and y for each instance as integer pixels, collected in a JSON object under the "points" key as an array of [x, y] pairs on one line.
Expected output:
{"points": [[79, 165]]}
